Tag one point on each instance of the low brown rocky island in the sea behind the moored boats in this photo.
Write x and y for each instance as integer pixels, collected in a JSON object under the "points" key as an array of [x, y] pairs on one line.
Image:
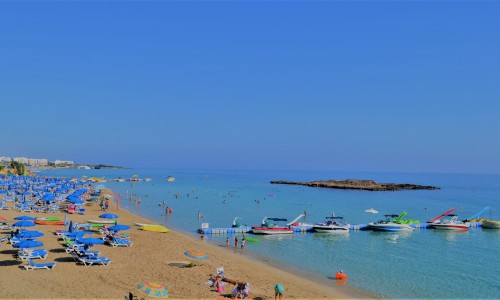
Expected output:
{"points": [[365, 185]]}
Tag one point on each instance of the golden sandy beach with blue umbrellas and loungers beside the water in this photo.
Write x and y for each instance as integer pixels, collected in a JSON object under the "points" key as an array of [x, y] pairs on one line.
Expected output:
{"points": [[148, 261]]}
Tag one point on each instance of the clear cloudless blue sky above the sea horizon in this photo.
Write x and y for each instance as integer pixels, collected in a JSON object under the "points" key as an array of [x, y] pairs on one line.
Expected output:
{"points": [[306, 85]]}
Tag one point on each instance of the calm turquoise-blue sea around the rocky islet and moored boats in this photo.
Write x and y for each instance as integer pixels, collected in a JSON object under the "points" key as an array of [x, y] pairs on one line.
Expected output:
{"points": [[424, 263]]}
